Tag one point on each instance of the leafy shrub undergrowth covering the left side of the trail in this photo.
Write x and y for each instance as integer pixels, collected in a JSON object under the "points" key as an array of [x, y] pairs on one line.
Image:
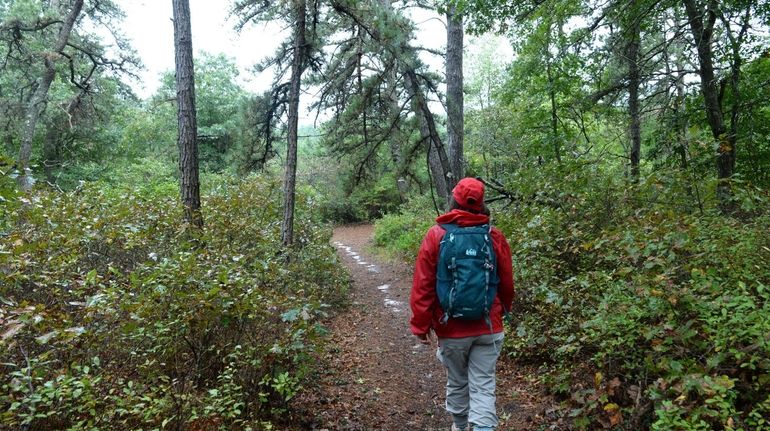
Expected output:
{"points": [[110, 319]]}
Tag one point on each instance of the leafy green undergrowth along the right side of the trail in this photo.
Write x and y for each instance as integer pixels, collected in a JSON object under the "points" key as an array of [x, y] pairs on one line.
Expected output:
{"points": [[646, 312]]}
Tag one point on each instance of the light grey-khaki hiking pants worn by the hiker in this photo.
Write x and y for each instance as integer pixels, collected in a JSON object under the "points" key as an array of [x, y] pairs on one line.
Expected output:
{"points": [[470, 391]]}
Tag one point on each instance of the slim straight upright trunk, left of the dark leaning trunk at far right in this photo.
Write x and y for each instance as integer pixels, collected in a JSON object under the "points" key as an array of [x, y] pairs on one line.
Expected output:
{"points": [[634, 81]]}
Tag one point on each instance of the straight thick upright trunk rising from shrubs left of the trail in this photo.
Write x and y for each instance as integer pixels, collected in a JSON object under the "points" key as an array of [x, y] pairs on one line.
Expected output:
{"points": [[186, 116]]}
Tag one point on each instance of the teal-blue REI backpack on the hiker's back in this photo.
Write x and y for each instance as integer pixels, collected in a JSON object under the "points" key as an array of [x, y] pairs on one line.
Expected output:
{"points": [[466, 277]]}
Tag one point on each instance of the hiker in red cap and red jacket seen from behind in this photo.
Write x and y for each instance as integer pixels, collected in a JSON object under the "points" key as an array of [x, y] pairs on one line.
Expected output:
{"points": [[469, 339]]}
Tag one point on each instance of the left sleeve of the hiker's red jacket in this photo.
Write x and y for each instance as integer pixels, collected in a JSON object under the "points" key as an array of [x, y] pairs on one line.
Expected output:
{"points": [[423, 299]]}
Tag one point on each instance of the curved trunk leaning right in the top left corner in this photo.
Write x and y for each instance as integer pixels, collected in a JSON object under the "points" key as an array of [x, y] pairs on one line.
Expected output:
{"points": [[38, 100]]}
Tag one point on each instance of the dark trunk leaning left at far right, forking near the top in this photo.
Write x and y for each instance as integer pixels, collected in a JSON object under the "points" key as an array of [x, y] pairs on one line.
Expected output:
{"points": [[702, 33]]}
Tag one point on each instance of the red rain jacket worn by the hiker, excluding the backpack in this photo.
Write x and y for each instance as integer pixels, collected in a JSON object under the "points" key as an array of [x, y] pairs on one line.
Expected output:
{"points": [[426, 310]]}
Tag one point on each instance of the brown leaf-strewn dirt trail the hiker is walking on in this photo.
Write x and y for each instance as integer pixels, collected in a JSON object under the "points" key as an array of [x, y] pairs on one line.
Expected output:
{"points": [[376, 376]]}
